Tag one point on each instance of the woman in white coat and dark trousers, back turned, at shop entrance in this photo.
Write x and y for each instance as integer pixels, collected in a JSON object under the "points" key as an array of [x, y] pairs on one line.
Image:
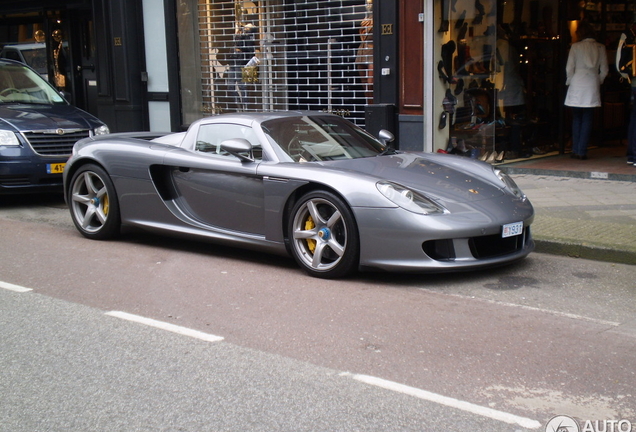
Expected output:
{"points": [[586, 70]]}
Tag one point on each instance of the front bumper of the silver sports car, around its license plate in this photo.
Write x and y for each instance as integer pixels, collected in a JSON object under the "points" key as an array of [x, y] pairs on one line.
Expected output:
{"points": [[397, 240]]}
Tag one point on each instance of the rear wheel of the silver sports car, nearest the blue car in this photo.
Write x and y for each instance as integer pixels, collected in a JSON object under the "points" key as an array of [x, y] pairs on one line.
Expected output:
{"points": [[93, 203]]}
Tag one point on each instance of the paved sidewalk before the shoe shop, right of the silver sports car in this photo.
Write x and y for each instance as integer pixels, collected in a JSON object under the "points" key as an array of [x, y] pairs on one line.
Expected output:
{"points": [[583, 209]]}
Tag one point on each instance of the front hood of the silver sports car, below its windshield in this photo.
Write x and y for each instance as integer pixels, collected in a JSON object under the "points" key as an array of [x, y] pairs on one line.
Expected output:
{"points": [[445, 177]]}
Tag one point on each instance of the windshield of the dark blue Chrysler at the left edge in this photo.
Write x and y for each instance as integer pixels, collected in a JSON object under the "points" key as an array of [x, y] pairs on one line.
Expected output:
{"points": [[19, 84]]}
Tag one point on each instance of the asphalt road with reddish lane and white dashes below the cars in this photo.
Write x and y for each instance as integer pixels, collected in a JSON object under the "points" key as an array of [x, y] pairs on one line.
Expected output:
{"points": [[547, 336]]}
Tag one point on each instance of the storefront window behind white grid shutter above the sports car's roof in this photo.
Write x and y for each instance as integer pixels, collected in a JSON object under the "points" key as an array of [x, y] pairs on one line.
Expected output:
{"points": [[238, 56]]}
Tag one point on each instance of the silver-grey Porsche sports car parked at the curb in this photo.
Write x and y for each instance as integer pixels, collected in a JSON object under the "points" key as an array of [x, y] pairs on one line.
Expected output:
{"points": [[307, 184]]}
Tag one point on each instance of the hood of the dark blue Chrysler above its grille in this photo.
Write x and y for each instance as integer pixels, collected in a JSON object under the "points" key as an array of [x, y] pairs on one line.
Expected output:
{"points": [[23, 117]]}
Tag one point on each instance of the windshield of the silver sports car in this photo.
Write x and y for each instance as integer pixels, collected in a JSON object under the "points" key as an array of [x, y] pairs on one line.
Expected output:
{"points": [[321, 138]]}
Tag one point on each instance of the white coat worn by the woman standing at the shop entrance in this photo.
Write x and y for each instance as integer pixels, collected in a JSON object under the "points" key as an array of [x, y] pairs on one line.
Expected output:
{"points": [[586, 70]]}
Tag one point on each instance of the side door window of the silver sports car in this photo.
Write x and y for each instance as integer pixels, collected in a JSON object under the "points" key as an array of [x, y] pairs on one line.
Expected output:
{"points": [[211, 136]]}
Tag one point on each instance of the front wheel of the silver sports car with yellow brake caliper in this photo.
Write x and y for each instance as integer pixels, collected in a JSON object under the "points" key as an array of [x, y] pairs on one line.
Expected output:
{"points": [[323, 235]]}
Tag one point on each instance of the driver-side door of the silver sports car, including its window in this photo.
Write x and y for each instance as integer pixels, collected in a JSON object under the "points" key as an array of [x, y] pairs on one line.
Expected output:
{"points": [[215, 188]]}
